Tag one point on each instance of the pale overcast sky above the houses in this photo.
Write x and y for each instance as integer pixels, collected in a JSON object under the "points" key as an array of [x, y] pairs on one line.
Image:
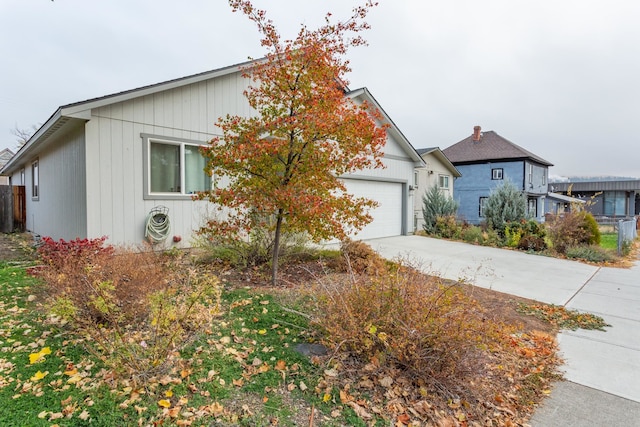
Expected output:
{"points": [[561, 78]]}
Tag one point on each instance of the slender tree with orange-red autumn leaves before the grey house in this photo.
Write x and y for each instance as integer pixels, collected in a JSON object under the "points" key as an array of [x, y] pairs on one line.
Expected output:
{"points": [[284, 163]]}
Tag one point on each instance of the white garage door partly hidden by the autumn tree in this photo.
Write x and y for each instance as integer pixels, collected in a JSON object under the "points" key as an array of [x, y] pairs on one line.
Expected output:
{"points": [[387, 217]]}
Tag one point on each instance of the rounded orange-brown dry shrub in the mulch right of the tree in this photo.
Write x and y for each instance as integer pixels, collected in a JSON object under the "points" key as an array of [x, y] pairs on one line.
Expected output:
{"points": [[405, 318]]}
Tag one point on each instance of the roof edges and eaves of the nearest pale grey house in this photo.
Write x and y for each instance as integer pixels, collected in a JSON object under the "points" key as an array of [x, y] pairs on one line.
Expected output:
{"points": [[68, 115]]}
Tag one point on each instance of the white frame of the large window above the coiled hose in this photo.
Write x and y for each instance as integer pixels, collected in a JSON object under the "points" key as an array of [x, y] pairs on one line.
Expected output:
{"points": [[147, 141]]}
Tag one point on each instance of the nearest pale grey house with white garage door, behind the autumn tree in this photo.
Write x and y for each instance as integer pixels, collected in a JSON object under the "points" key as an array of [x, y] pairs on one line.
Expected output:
{"points": [[100, 167]]}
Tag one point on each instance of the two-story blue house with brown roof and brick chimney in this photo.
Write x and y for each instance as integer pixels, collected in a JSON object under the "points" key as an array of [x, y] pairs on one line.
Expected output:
{"points": [[486, 160]]}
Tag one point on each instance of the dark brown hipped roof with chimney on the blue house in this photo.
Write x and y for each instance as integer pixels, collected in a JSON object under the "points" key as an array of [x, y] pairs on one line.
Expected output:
{"points": [[490, 147]]}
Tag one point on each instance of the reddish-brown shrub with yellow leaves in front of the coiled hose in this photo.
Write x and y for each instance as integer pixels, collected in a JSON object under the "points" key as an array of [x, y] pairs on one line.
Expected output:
{"points": [[136, 307]]}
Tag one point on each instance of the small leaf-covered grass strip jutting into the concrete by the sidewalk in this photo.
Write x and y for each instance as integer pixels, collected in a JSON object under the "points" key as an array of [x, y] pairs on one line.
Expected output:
{"points": [[564, 318]]}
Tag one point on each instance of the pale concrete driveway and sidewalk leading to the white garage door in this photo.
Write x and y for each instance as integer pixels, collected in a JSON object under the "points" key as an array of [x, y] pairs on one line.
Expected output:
{"points": [[602, 368]]}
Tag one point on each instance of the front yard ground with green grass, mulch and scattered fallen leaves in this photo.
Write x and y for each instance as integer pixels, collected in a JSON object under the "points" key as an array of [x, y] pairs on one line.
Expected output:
{"points": [[244, 367]]}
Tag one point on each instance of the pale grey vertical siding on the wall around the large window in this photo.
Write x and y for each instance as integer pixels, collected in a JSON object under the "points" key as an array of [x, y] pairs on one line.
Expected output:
{"points": [[115, 205]]}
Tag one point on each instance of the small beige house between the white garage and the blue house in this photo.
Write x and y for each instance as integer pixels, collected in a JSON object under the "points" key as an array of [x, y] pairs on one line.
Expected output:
{"points": [[438, 170]]}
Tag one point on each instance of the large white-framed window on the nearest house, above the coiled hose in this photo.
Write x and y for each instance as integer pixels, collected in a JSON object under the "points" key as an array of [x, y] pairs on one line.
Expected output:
{"points": [[174, 168]]}
